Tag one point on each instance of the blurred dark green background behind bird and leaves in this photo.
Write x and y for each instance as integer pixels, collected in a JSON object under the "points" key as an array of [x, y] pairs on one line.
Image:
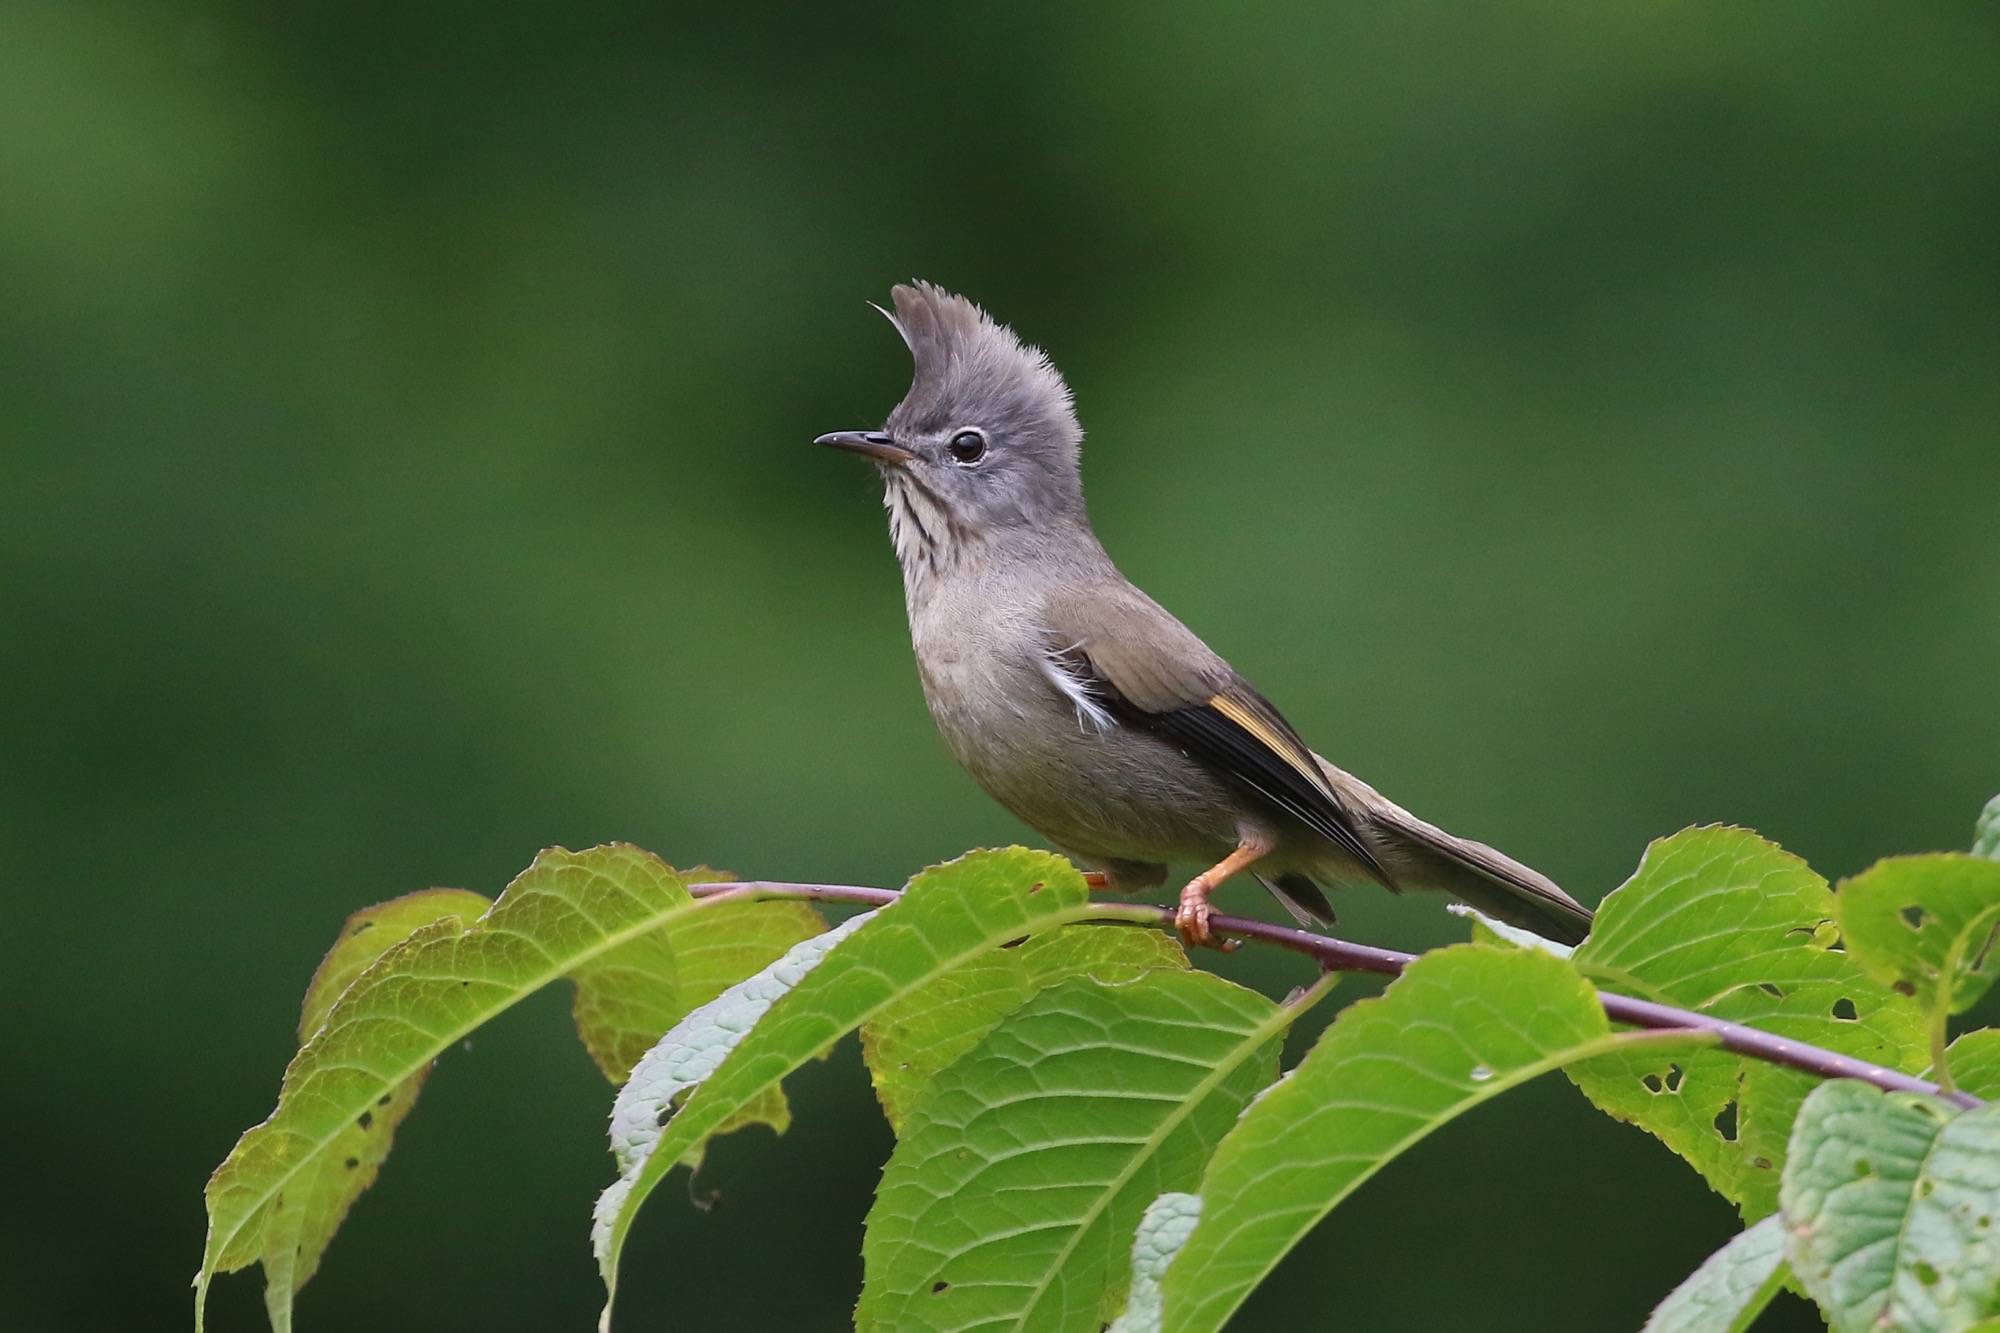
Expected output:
{"points": [[1579, 417]]}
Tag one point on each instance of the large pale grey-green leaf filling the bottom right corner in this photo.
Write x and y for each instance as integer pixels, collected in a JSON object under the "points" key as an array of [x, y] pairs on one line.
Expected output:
{"points": [[1889, 1208]]}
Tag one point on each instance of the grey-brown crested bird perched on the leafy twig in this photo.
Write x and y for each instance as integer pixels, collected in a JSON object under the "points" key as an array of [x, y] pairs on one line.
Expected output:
{"points": [[1087, 710]]}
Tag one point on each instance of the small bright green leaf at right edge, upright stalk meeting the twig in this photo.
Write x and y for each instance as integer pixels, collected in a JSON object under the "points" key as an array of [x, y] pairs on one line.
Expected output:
{"points": [[1927, 926]]}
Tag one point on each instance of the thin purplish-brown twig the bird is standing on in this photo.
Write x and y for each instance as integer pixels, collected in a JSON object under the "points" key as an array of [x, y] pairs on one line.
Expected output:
{"points": [[1339, 956]]}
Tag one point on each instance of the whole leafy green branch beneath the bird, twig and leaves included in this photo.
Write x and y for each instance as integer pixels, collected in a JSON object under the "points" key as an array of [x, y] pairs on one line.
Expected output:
{"points": [[1789, 1042]]}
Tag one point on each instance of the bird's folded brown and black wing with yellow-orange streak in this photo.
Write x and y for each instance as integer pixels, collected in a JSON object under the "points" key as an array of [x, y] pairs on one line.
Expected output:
{"points": [[1153, 674]]}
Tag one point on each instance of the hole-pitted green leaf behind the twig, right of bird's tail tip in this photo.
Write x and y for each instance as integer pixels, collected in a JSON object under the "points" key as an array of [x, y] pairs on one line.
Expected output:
{"points": [[1731, 926]]}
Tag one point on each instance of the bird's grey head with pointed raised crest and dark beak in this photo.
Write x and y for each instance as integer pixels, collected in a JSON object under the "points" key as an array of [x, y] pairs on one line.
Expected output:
{"points": [[983, 447]]}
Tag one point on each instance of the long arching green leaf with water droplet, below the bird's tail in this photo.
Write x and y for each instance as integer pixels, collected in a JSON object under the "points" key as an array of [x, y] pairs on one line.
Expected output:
{"points": [[1457, 1030]]}
